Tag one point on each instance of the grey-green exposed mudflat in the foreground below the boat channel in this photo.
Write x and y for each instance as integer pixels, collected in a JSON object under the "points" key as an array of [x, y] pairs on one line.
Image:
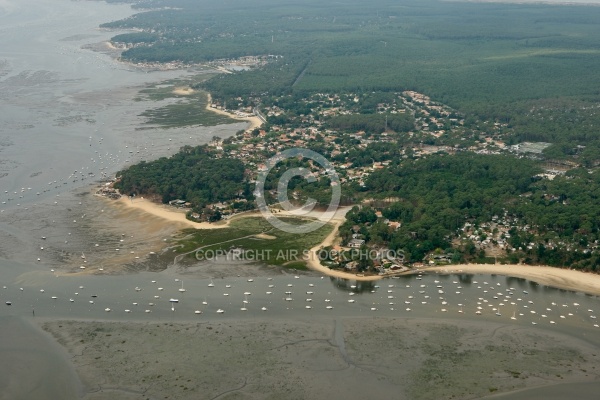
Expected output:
{"points": [[365, 358]]}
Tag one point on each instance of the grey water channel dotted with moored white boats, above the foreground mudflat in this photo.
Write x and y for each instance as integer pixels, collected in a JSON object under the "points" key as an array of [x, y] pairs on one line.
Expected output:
{"points": [[147, 297]]}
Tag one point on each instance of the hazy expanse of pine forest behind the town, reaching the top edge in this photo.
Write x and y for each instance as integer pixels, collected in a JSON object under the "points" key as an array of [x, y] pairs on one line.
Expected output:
{"points": [[533, 66]]}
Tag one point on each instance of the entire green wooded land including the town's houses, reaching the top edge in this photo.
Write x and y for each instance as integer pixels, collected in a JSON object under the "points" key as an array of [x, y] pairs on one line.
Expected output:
{"points": [[338, 79]]}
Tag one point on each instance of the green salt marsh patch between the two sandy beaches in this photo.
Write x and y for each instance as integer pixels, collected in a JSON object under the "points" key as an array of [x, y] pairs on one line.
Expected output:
{"points": [[242, 239]]}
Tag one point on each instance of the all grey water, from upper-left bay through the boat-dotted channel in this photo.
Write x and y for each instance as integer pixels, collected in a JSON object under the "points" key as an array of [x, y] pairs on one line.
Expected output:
{"points": [[68, 119]]}
